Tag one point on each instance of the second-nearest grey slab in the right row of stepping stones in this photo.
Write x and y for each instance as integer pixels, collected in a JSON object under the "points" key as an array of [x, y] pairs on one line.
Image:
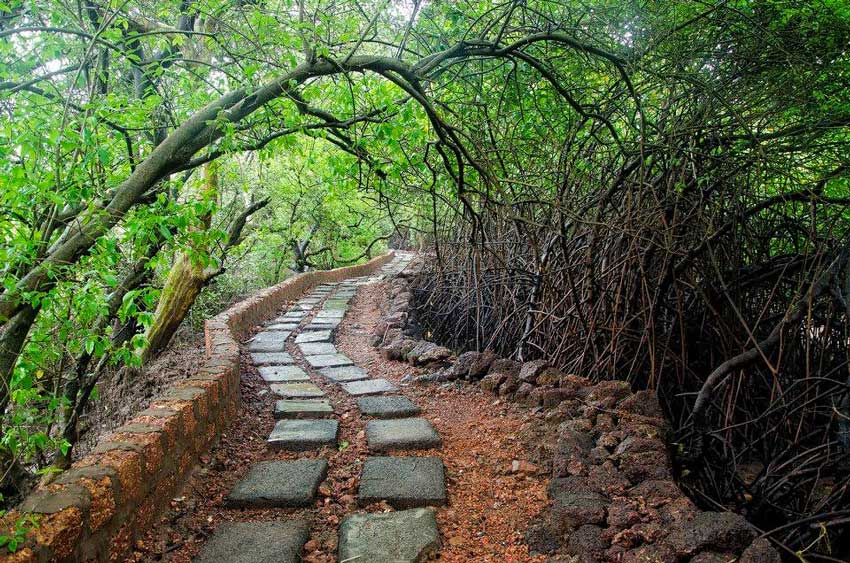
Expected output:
{"points": [[404, 482]]}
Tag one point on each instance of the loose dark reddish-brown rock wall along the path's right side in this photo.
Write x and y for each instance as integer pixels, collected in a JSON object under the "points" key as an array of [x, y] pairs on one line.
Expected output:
{"points": [[612, 496]]}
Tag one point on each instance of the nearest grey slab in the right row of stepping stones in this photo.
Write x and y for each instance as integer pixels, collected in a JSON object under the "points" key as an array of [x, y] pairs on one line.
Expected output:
{"points": [[408, 536]]}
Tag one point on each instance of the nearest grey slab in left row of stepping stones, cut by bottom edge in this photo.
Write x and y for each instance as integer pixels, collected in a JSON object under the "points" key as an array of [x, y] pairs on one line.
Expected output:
{"points": [[248, 542]]}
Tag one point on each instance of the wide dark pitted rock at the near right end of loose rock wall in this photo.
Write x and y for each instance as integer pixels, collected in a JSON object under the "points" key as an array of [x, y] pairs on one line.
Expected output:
{"points": [[723, 531]]}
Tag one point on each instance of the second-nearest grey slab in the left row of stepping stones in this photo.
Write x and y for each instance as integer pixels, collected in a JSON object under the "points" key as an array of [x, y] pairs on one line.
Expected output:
{"points": [[279, 484]]}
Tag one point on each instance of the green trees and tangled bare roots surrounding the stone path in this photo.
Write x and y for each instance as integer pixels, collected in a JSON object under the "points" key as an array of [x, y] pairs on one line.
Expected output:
{"points": [[644, 190]]}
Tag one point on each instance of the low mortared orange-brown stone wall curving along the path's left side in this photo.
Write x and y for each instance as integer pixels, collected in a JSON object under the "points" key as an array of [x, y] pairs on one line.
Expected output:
{"points": [[96, 509]]}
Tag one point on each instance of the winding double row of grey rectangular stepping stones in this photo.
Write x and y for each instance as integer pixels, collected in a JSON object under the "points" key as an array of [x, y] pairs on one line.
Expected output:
{"points": [[306, 422]]}
